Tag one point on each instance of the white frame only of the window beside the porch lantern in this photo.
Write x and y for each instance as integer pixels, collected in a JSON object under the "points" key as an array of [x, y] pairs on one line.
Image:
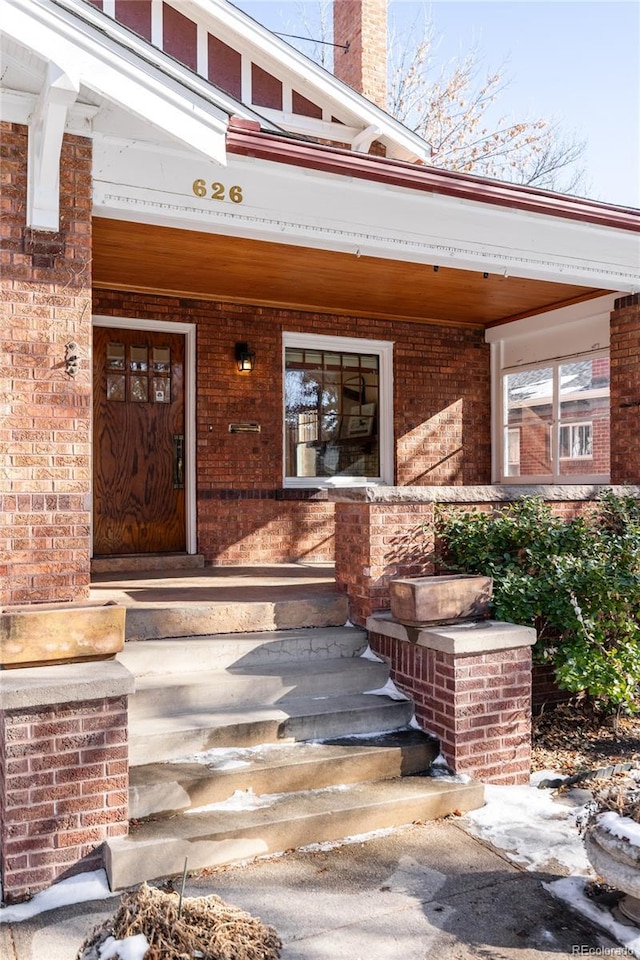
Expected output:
{"points": [[384, 350]]}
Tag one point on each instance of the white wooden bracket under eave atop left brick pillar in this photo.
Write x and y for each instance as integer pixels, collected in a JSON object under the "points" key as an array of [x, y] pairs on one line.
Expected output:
{"points": [[46, 129]]}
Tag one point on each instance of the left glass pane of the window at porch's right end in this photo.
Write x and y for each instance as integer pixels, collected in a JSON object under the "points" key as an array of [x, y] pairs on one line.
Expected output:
{"points": [[528, 398]]}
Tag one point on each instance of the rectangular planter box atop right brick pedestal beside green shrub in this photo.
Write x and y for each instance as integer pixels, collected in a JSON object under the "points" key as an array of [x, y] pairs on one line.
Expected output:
{"points": [[447, 599]]}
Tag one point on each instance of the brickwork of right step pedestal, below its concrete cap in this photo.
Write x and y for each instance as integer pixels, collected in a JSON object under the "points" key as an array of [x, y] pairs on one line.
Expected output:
{"points": [[478, 706]]}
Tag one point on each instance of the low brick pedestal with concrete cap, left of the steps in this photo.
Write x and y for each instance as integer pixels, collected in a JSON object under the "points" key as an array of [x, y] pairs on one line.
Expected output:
{"points": [[63, 771]]}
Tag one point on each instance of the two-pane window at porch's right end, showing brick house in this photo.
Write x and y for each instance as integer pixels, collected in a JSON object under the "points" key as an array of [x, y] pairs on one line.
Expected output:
{"points": [[560, 413]]}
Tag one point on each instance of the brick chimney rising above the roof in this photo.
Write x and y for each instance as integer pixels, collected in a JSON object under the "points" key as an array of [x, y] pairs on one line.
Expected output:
{"points": [[363, 25]]}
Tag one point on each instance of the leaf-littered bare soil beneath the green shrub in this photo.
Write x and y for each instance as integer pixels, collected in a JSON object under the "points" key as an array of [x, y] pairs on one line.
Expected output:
{"points": [[573, 738]]}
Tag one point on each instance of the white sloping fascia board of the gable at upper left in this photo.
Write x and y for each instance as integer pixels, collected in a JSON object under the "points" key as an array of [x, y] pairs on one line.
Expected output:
{"points": [[116, 74]]}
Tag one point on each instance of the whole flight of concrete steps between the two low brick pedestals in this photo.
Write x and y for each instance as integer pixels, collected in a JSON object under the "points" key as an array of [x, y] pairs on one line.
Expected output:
{"points": [[234, 720]]}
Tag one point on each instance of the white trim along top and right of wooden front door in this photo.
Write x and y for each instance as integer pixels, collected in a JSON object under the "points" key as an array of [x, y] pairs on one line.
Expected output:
{"points": [[188, 330]]}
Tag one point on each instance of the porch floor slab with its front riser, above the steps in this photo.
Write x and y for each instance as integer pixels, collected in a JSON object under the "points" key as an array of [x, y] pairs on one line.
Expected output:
{"points": [[223, 599]]}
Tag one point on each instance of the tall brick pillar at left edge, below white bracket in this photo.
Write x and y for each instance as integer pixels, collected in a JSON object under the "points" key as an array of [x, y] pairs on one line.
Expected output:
{"points": [[45, 297]]}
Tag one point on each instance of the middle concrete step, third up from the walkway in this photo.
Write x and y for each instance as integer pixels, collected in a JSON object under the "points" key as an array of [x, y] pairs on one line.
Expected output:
{"points": [[154, 739]]}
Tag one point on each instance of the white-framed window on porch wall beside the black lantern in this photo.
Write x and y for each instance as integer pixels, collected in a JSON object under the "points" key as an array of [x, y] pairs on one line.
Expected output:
{"points": [[337, 410]]}
